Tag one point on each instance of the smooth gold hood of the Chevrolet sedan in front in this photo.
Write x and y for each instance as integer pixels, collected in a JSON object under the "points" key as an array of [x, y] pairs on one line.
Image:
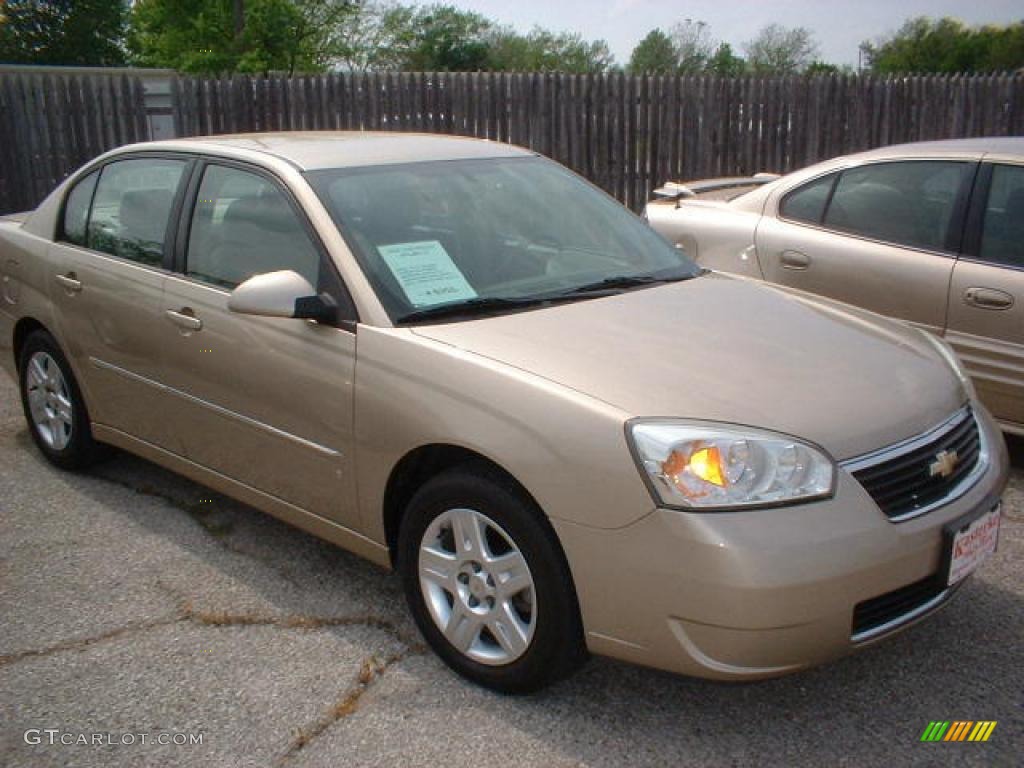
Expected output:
{"points": [[733, 351]]}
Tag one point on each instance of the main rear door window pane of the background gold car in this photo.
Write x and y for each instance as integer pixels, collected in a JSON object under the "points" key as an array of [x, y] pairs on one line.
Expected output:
{"points": [[908, 203]]}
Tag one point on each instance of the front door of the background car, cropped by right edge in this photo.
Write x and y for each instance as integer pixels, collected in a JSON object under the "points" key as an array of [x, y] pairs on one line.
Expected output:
{"points": [[987, 295]]}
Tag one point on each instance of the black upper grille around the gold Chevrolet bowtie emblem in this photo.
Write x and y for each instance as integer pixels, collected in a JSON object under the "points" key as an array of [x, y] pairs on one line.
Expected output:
{"points": [[903, 484]]}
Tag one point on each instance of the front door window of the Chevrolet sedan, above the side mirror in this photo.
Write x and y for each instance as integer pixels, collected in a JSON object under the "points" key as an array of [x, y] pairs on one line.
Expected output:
{"points": [[244, 226]]}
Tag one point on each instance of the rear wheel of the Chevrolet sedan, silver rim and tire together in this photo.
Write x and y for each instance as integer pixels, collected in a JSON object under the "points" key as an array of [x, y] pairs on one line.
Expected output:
{"points": [[54, 407]]}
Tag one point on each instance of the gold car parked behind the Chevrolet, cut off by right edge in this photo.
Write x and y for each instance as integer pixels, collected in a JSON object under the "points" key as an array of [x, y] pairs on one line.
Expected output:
{"points": [[930, 233]]}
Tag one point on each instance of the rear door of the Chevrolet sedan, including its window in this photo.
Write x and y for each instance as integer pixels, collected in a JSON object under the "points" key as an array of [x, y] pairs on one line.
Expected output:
{"points": [[112, 257]]}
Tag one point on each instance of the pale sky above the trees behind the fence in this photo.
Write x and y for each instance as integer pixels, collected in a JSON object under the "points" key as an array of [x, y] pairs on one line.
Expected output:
{"points": [[839, 27]]}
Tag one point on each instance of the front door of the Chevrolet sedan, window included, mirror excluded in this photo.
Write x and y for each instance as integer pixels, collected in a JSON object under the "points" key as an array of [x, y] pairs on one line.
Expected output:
{"points": [[266, 402]]}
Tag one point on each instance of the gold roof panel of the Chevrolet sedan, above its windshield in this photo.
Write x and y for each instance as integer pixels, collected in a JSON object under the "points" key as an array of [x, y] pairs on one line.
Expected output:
{"points": [[320, 150]]}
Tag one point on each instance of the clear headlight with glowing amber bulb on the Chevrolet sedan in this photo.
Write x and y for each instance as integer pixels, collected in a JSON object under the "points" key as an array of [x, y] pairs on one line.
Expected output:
{"points": [[715, 466]]}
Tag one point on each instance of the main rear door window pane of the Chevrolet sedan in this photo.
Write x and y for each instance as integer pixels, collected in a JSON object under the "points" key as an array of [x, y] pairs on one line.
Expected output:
{"points": [[132, 208]]}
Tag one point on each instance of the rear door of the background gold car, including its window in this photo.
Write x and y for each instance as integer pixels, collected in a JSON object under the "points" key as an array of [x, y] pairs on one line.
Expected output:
{"points": [[882, 236]]}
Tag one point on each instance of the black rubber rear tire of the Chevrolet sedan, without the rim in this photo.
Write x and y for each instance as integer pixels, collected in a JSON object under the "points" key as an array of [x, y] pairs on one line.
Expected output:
{"points": [[81, 450]]}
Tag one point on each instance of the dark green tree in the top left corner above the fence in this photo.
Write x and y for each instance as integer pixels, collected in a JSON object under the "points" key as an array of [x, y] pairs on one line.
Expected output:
{"points": [[63, 32]]}
